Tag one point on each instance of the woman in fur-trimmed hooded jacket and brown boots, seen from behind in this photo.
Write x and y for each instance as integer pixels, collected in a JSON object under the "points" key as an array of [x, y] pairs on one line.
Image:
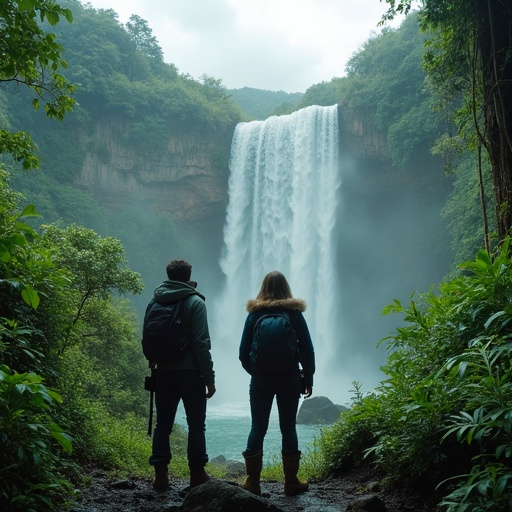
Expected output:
{"points": [[275, 298]]}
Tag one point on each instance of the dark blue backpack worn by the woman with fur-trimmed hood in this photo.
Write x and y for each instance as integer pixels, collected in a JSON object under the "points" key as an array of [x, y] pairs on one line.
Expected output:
{"points": [[274, 347]]}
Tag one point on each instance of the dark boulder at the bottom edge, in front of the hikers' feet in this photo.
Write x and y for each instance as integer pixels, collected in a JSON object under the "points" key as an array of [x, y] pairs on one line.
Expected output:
{"points": [[220, 496]]}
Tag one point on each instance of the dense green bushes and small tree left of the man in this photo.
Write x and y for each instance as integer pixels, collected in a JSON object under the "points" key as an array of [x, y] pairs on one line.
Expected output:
{"points": [[70, 276]]}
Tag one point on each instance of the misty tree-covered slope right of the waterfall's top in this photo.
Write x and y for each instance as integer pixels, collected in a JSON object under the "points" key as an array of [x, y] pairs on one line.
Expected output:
{"points": [[385, 82]]}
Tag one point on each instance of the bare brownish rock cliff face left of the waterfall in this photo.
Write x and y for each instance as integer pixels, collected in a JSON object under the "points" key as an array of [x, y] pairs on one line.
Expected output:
{"points": [[188, 178]]}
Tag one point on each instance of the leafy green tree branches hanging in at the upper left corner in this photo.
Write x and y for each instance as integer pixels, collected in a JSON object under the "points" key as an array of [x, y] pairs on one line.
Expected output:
{"points": [[31, 56]]}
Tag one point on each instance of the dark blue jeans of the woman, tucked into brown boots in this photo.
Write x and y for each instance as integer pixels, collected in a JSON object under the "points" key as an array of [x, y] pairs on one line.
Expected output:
{"points": [[262, 389]]}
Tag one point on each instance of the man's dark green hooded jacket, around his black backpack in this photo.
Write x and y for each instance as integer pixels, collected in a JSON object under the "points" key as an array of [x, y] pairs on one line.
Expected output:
{"points": [[198, 356]]}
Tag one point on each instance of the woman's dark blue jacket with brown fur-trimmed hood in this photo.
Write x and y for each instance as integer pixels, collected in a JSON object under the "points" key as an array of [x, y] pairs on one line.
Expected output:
{"points": [[294, 308]]}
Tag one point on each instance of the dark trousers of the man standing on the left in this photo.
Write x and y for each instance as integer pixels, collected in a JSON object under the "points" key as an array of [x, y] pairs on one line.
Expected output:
{"points": [[171, 387]]}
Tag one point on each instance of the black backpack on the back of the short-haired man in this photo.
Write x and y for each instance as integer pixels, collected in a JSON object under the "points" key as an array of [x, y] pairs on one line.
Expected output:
{"points": [[163, 336]]}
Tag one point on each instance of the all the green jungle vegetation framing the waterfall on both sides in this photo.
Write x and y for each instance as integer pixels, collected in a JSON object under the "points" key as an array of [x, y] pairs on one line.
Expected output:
{"points": [[70, 364]]}
